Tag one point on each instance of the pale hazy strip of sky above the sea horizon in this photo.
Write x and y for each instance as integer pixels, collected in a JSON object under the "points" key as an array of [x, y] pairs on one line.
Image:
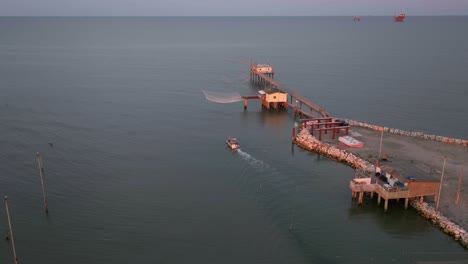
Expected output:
{"points": [[230, 7]]}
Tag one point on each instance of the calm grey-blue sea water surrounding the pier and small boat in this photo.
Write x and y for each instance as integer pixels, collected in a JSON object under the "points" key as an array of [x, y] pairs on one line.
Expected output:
{"points": [[139, 171]]}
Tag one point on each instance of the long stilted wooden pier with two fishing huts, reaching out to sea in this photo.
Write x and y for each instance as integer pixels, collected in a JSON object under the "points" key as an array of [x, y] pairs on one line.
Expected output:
{"points": [[262, 74]]}
